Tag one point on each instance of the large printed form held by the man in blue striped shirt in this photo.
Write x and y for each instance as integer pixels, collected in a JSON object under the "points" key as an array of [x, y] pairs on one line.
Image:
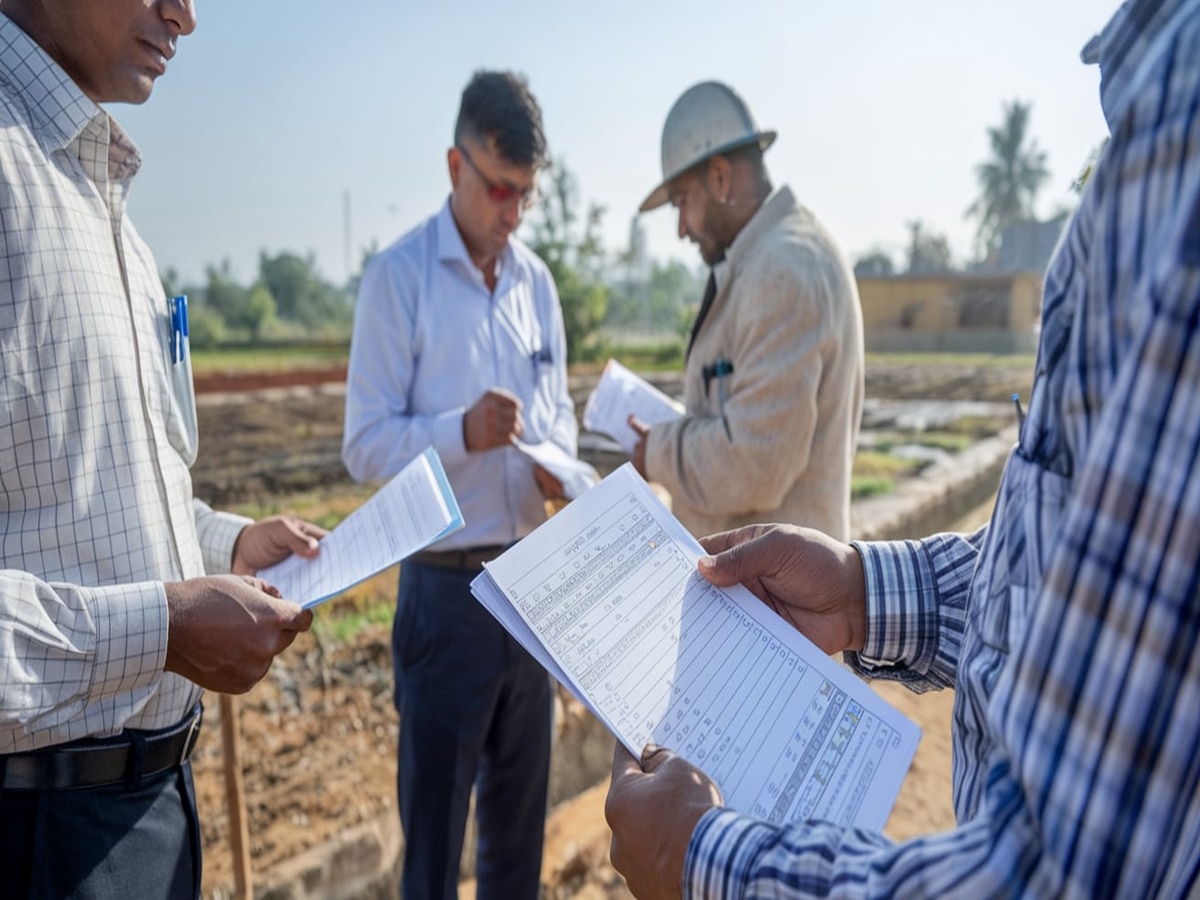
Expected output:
{"points": [[608, 598]]}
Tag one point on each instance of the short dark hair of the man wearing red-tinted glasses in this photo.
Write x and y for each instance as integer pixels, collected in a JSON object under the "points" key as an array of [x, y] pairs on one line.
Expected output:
{"points": [[500, 107]]}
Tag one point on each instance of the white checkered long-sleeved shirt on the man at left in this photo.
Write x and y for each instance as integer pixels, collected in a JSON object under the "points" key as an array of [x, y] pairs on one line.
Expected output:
{"points": [[97, 505]]}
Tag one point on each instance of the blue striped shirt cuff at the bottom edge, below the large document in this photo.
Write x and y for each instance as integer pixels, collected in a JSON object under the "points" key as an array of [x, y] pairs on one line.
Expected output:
{"points": [[723, 854]]}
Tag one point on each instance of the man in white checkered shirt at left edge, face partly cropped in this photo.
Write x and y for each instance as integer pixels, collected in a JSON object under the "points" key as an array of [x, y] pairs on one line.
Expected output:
{"points": [[111, 625]]}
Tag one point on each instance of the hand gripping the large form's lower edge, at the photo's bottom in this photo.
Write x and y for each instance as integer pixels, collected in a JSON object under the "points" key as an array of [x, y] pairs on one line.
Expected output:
{"points": [[653, 808]]}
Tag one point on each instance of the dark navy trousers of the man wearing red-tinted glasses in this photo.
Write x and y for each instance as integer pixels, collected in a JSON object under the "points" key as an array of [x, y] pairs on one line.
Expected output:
{"points": [[475, 710]]}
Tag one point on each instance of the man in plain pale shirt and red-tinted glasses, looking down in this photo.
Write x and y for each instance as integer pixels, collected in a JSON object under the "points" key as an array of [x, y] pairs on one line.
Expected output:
{"points": [[459, 344]]}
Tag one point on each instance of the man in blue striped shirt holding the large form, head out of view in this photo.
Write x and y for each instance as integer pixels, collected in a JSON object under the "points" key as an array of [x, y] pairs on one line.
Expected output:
{"points": [[1069, 626]]}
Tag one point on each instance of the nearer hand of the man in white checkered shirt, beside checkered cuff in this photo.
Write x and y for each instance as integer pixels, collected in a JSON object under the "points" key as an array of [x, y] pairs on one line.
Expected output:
{"points": [[226, 629]]}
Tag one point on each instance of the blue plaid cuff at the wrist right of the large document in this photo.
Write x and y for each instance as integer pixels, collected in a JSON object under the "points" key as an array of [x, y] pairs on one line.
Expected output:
{"points": [[902, 611]]}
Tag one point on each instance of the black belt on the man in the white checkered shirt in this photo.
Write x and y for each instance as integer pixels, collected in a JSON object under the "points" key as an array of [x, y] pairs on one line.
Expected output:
{"points": [[94, 763]]}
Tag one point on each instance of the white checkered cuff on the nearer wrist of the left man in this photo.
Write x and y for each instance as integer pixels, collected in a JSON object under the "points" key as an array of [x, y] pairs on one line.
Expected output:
{"points": [[131, 637]]}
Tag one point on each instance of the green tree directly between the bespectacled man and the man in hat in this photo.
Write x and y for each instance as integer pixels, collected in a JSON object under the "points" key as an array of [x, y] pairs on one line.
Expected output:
{"points": [[575, 259]]}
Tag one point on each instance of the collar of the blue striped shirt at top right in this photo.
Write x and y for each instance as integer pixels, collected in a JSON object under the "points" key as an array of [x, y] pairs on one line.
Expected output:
{"points": [[1121, 47]]}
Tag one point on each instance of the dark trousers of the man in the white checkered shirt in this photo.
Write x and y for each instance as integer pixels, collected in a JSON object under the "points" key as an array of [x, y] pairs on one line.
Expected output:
{"points": [[113, 843]]}
